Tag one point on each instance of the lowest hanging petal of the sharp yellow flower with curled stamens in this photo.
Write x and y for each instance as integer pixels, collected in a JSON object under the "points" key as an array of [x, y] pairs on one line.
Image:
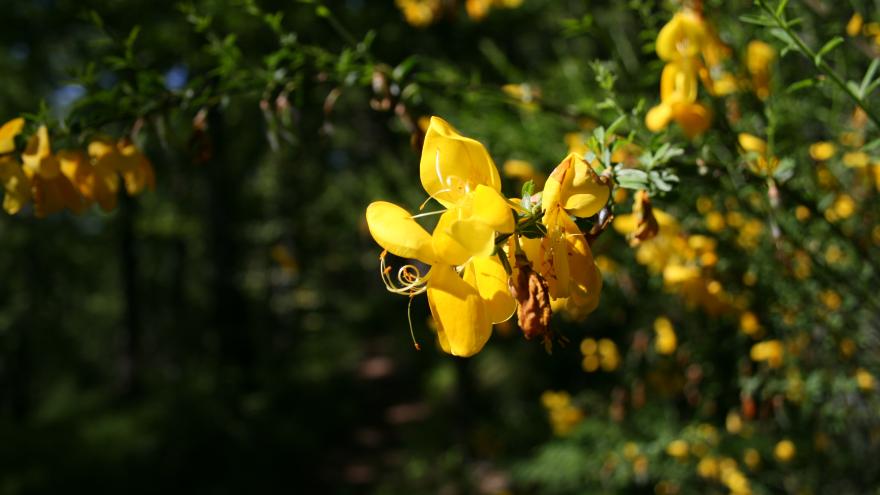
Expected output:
{"points": [[459, 312]]}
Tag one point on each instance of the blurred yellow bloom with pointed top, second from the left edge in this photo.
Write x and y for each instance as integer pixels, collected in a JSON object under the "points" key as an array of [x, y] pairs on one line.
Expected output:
{"points": [[52, 191]]}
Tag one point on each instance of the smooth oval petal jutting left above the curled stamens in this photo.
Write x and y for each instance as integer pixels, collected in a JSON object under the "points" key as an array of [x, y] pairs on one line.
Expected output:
{"points": [[393, 228]]}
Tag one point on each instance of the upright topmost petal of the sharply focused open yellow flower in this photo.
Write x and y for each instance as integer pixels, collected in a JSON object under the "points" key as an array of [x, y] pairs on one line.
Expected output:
{"points": [[453, 165]]}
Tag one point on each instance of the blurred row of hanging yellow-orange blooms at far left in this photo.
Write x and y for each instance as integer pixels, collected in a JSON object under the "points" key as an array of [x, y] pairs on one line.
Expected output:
{"points": [[68, 179]]}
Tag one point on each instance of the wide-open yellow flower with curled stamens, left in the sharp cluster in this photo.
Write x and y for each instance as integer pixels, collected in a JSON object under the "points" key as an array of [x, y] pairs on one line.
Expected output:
{"points": [[467, 285]]}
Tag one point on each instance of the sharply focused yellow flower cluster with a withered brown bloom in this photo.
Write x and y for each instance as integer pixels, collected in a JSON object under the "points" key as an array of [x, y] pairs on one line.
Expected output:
{"points": [[491, 257]]}
